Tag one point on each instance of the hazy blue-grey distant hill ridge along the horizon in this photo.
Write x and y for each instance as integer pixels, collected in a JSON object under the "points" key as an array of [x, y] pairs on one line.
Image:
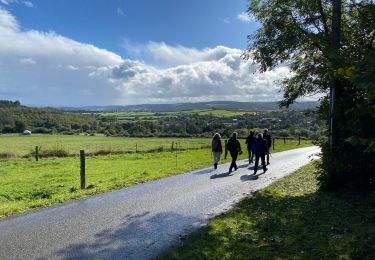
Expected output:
{"points": [[199, 105]]}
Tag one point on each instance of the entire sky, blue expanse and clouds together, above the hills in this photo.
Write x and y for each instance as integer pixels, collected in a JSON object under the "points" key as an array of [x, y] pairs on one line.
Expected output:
{"points": [[122, 52]]}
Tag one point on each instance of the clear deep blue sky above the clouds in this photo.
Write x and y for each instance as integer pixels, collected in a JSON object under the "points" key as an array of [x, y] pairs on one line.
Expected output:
{"points": [[106, 24]]}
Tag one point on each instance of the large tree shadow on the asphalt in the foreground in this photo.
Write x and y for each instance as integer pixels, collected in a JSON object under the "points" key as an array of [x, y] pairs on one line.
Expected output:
{"points": [[139, 237]]}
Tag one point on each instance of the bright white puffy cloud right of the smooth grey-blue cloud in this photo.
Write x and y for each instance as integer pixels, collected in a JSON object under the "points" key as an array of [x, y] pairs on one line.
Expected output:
{"points": [[194, 75]]}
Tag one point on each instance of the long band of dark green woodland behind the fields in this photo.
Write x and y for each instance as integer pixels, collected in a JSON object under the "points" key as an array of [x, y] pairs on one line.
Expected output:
{"points": [[15, 118]]}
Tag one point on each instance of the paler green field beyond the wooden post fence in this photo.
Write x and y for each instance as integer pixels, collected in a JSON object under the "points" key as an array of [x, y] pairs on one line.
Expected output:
{"points": [[19, 145]]}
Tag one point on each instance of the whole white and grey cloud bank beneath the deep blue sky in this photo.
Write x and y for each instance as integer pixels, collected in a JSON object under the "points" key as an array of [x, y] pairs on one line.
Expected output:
{"points": [[45, 68]]}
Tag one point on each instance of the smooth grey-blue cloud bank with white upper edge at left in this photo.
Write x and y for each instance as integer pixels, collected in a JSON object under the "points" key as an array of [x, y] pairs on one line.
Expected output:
{"points": [[47, 68]]}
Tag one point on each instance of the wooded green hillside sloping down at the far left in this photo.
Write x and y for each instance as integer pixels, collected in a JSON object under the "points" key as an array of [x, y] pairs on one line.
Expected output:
{"points": [[14, 118]]}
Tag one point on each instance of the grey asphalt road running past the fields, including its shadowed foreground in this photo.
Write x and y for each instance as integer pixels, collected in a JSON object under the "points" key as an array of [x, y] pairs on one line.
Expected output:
{"points": [[138, 222]]}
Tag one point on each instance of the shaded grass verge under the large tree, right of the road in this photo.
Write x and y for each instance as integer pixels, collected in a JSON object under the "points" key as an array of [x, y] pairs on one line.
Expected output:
{"points": [[290, 219]]}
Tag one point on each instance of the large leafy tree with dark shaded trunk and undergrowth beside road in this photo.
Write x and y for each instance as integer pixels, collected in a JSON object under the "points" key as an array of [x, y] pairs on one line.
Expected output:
{"points": [[330, 49]]}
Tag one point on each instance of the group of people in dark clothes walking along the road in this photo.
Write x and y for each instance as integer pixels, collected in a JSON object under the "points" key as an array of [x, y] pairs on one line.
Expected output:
{"points": [[258, 147]]}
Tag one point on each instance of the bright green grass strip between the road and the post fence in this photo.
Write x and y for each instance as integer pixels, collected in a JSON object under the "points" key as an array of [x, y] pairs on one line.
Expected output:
{"points": [[27, 184]]}
